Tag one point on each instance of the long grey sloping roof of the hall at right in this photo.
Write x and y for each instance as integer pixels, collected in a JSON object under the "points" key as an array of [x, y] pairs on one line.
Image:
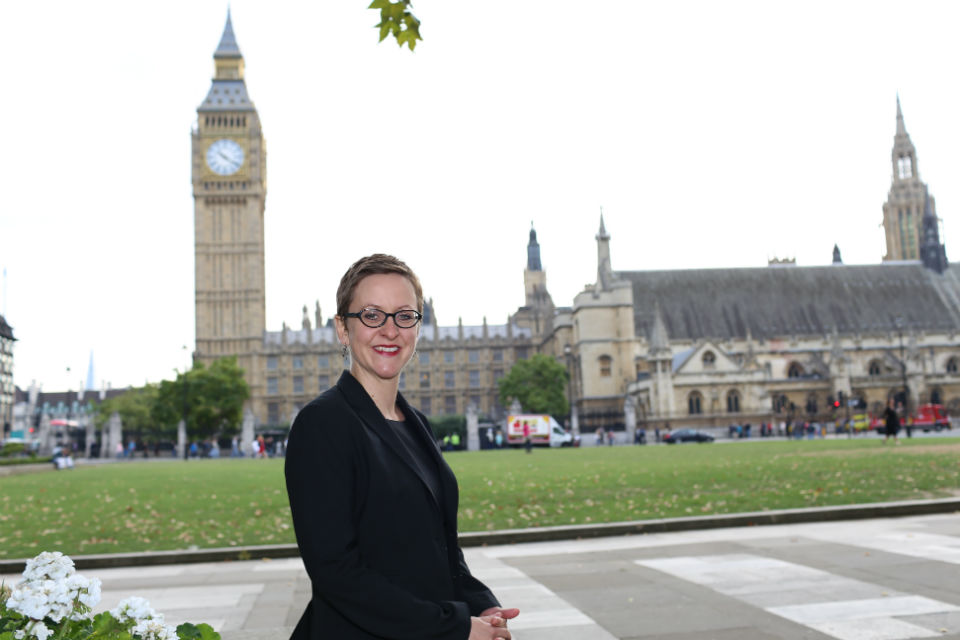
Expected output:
{"points": [[796, 301]]}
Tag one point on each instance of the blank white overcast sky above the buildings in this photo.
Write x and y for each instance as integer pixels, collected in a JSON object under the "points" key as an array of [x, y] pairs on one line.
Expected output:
{"points": [[713, 134]]}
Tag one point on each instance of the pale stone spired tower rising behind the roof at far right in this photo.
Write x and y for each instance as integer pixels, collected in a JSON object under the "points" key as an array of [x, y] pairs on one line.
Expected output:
{"points": [[904, 209]]}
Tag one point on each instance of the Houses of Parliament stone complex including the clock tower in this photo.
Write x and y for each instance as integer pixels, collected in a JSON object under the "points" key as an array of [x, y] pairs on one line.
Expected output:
{"points": [[698, 347]]}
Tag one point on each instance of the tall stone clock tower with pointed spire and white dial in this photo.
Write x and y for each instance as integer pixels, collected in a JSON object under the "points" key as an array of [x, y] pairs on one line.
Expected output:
{"points": [[229, 192]]}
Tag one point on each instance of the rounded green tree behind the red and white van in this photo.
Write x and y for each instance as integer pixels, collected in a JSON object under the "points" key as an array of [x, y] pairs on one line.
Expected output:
{"points": [[537, 384]]}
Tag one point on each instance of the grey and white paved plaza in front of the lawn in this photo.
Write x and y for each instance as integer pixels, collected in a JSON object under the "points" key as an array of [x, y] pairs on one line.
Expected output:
{"points": [[884, 579]]}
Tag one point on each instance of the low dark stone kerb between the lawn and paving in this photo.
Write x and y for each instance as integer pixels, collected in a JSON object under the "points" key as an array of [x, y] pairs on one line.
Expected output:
{"points": [[533, 534]]}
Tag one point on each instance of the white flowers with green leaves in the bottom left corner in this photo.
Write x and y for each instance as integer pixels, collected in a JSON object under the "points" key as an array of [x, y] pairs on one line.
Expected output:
{"points": [[54, 601]]}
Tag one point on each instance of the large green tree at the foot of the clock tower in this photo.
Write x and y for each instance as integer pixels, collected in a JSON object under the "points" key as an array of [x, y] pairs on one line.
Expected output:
{"points": [[212, 399]]}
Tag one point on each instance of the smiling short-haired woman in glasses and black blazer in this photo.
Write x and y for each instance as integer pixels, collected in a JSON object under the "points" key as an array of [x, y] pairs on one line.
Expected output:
{"points": [[374, 504]]}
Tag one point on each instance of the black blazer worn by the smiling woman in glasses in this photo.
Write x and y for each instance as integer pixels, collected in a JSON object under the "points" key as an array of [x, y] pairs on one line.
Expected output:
{"points": [[380, 548]]}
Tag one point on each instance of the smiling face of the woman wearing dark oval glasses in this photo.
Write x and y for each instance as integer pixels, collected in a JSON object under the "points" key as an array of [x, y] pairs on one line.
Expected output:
{"points": [[381, 353]]}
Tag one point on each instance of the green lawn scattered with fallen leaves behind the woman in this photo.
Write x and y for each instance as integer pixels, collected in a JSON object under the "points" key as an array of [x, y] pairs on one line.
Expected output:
{"points": [[219, 503]]}
